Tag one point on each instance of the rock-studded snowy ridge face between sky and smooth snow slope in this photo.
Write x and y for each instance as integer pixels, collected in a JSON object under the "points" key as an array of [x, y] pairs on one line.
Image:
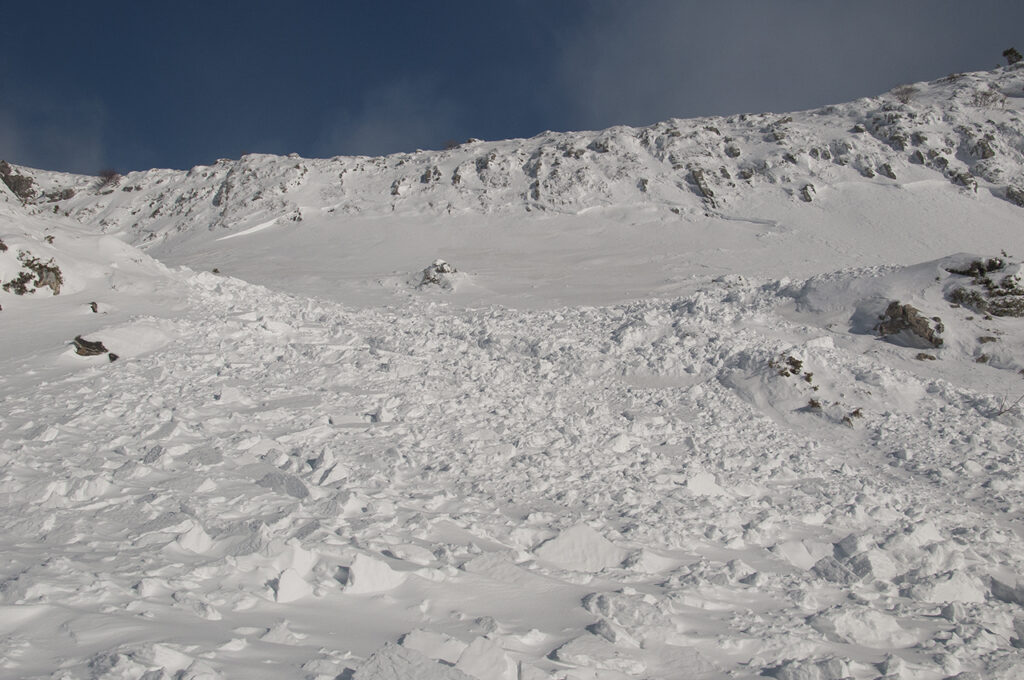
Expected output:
{"points": [[965, 131]]}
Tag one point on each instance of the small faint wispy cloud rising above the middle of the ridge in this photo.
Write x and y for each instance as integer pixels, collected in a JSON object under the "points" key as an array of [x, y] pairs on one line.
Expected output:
{"points": [[401, 116]]}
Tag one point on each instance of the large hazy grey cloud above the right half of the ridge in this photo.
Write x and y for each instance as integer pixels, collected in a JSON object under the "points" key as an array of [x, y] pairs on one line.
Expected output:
{"points": [[644, 62]]}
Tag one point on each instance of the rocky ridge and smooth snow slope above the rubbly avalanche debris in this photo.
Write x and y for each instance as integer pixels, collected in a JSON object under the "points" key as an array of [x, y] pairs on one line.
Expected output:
{"points": [[918, 174]]}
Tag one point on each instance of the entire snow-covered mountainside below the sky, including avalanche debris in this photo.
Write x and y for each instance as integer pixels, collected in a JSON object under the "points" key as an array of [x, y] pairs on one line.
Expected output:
{"points": [[682, 428]]}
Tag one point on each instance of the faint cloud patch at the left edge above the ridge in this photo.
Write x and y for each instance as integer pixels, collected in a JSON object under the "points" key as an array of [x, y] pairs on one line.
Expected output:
{"points": [[44, 133]]}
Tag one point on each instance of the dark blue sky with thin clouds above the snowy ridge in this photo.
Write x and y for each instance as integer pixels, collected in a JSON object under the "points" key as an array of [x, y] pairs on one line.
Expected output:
{"points": [[134, 86]]}
